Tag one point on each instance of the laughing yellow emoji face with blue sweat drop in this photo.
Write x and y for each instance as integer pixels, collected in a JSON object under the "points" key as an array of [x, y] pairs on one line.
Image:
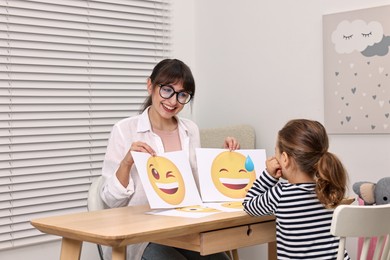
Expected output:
{"points": [[231, 175]]}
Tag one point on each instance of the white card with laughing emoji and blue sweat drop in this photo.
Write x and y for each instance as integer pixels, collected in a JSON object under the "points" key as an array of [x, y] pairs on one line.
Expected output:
{"points": [[228, 175]]}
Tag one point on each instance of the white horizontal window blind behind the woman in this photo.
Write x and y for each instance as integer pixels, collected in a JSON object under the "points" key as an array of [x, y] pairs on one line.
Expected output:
{"points": [[69, 70]]}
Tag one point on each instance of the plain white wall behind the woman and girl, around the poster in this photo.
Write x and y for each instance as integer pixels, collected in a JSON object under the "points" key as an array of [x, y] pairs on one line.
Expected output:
{"points": [[258, 62]]}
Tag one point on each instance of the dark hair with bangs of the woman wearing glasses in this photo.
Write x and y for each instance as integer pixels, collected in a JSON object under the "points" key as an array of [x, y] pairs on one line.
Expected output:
{"points": [[171, 71]]}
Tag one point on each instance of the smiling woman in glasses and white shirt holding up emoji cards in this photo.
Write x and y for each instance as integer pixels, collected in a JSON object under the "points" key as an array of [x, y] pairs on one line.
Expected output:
{"points": [[157, 129]]}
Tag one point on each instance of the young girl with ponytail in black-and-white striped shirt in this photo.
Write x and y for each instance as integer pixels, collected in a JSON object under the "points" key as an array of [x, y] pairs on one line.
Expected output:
{"points": [[303, 206]]}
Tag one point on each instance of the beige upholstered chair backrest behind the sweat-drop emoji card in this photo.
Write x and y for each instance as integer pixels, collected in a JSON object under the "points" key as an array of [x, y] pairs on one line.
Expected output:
{"points": [[214, 137]]}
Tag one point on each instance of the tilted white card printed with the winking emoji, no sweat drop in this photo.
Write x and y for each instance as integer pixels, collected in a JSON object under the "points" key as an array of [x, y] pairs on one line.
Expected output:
{"points": [[167, 179]]}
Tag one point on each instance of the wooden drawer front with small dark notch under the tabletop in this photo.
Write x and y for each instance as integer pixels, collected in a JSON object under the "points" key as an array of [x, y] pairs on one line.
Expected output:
{"points": [[237, 237]]}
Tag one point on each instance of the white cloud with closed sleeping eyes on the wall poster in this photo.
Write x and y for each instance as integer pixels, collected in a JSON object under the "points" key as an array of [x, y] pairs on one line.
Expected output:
{"points": [[356, 35]]}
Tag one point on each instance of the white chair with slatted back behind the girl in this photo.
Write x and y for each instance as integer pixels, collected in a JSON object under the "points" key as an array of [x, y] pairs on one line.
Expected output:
{"points": [[363, 221]]}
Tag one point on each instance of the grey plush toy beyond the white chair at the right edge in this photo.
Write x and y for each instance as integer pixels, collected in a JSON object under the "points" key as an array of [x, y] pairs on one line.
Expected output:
{"points": [[373, 193]]}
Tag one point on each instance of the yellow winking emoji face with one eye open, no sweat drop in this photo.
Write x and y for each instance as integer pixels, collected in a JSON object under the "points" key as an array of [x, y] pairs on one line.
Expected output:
{"points": [[166, 179]]}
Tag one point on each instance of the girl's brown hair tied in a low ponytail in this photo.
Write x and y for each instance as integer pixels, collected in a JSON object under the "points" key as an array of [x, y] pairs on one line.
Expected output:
{"points": [[306, 141]]}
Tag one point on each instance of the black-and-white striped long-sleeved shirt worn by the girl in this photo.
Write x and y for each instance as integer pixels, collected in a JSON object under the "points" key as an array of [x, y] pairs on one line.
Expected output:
{"points": [[302, 222]]}
